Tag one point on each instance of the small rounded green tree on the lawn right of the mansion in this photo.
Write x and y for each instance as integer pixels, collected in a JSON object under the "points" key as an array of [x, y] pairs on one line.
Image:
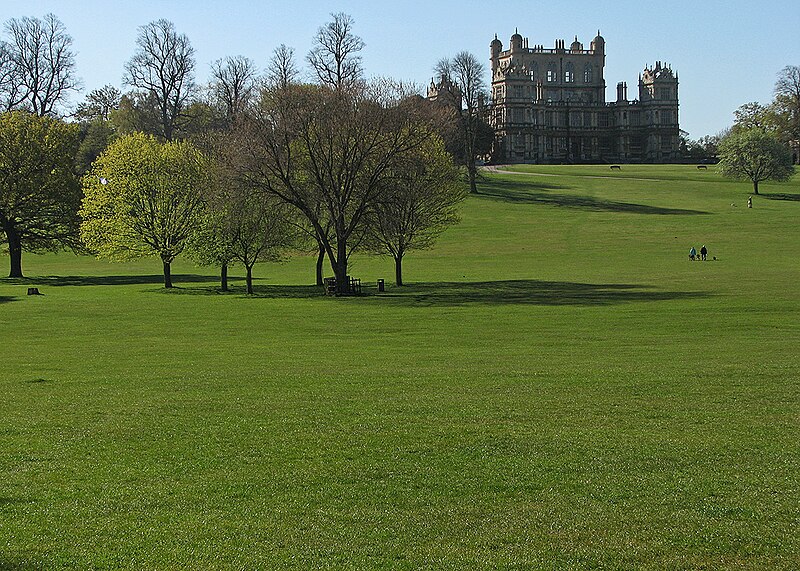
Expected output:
{"points": [[754, 155]]}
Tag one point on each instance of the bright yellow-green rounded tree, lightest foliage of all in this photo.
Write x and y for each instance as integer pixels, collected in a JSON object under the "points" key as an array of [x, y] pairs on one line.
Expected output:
{"points": [[142, 198]]}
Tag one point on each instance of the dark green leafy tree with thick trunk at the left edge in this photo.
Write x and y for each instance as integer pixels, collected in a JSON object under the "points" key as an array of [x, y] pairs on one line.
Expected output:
{"points": [[39, 193]]}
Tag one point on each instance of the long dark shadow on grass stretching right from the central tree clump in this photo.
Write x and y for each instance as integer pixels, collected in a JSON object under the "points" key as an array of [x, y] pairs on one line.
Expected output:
{"points": [[531, 292]]}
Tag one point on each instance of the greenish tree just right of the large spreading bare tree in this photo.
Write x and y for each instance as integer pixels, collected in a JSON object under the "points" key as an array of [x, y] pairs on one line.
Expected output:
{"points": [[420, 201]]}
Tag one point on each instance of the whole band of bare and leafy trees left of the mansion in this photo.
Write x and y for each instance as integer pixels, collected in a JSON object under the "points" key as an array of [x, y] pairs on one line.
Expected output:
{"points": [[244, 170]]}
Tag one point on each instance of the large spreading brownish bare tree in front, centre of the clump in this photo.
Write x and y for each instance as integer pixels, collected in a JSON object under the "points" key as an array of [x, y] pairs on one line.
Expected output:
{"points": [[327, 153]]}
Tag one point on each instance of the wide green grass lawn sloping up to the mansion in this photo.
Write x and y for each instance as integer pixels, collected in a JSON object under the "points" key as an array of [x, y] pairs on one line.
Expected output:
{"points": [[557, 388]]}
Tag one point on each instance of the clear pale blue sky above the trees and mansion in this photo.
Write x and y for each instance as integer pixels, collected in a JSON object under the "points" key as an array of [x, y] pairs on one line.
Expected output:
{"points": [[725, 53]]}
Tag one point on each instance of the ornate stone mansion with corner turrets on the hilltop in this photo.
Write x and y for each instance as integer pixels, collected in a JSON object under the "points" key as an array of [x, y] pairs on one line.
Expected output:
{"points": [[549, 106]]}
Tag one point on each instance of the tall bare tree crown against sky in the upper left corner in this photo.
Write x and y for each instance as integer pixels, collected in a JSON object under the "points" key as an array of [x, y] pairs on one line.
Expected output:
{"points": [[37, 65]]}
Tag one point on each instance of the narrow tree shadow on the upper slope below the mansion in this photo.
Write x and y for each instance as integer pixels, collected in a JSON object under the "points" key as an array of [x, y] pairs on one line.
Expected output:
{"points": [[537, 194]]}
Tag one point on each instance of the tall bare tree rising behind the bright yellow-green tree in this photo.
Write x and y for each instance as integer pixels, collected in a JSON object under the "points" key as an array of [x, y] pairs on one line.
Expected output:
{"points": [[163, 67]]}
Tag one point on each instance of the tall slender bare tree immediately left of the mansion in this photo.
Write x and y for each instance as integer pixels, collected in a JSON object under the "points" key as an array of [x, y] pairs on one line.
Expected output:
{"points": [[462, 80]]}
